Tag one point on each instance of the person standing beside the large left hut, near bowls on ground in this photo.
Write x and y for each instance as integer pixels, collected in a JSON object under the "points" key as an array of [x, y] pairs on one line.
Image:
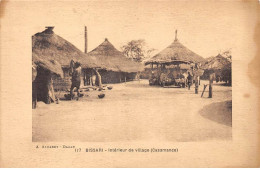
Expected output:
{"points": [[75, 79]]}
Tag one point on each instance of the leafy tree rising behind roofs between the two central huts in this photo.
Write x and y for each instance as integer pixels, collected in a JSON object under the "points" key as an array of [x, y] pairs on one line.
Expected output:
{"points": [[137, 50]]}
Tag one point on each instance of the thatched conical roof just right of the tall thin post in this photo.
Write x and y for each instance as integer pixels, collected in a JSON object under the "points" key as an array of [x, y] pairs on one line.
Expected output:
{"points": [[114, 60]]}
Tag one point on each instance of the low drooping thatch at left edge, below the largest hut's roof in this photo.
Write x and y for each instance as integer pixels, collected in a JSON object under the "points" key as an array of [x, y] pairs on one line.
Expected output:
{"points": [[51, 65]]}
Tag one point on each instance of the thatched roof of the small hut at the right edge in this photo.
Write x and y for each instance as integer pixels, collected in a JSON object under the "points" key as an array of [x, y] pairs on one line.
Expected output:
{"points": [[216, 63]]}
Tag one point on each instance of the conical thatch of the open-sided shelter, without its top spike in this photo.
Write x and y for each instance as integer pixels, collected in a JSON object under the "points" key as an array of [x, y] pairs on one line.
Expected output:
{"points": [[176, 53]]}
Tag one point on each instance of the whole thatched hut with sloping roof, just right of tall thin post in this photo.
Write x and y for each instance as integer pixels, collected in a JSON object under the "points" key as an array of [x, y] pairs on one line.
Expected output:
{"points": [[115, 67]]}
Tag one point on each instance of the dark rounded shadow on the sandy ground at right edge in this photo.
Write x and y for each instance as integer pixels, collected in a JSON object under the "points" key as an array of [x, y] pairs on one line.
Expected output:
{"points": [[220, 112]]}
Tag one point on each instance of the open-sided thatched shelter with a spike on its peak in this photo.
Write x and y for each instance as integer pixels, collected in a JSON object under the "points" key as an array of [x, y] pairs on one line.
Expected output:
{"points": [[172, 64]]}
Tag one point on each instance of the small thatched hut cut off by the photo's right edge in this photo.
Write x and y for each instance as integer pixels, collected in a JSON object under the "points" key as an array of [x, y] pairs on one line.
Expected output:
{"points": [[218, 65]]}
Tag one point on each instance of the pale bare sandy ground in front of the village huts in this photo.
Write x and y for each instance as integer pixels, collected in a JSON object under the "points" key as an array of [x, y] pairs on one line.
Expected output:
{"points": [[135, 111]]}
